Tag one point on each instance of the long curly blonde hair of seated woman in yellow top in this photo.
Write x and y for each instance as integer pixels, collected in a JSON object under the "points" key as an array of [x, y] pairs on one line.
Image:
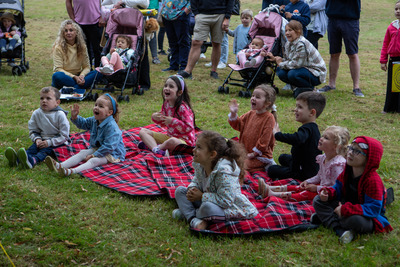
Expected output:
{"points": [[79, 41]]}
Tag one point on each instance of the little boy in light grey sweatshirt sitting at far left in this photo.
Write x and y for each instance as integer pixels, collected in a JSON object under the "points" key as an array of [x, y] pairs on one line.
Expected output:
{"points": [[48, 129]]}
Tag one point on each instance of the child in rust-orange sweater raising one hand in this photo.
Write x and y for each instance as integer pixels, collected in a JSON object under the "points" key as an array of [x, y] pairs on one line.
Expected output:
{"points": [[256, 128]]}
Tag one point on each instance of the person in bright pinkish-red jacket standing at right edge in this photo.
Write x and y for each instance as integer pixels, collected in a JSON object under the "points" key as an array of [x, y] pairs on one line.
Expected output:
{"points": [[391, 49]]}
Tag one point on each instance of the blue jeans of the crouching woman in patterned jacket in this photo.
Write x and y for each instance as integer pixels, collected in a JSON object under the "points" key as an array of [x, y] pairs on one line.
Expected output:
{"points": [[301, 77]]}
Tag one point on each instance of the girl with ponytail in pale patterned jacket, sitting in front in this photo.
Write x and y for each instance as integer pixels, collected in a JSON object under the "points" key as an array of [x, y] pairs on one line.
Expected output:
{"points": [[214, 193]]}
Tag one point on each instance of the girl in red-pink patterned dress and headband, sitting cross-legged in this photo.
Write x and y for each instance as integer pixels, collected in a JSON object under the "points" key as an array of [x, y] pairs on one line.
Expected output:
{"points": [[176, 115]]}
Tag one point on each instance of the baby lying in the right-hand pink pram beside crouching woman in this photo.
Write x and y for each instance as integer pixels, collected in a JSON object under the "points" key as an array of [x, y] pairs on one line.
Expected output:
{"points": [[254, 55]]}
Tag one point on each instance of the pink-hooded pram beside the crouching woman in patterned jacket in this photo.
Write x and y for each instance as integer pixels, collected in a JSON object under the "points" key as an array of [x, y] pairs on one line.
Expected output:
{"points": [[267, 26]]}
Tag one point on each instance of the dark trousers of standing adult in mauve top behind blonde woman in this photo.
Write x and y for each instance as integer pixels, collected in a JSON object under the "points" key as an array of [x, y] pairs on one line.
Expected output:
{"points": [[93, 34]]}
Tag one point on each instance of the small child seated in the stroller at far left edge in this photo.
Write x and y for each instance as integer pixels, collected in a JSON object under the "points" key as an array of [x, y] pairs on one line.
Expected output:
{"points": [[9, 34]]}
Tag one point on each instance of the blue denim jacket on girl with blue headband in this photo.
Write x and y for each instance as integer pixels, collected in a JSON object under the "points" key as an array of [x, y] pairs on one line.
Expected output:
{"points": [[106, 137]]}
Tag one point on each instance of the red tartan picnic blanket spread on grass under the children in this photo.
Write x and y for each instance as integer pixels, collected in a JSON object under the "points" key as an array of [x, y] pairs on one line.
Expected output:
{"points": [[144, 173]]}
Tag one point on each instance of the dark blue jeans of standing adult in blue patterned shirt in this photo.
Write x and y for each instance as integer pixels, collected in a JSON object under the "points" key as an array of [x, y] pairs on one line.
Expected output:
{"points": [[179, 40]]}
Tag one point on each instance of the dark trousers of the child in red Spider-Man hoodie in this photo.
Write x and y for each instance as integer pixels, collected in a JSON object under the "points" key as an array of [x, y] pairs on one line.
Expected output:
{"points": [[325, 212]]}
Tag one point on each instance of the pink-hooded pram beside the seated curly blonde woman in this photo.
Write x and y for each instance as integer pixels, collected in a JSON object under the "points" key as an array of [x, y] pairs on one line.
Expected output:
{"points": [[126, 21]]}
